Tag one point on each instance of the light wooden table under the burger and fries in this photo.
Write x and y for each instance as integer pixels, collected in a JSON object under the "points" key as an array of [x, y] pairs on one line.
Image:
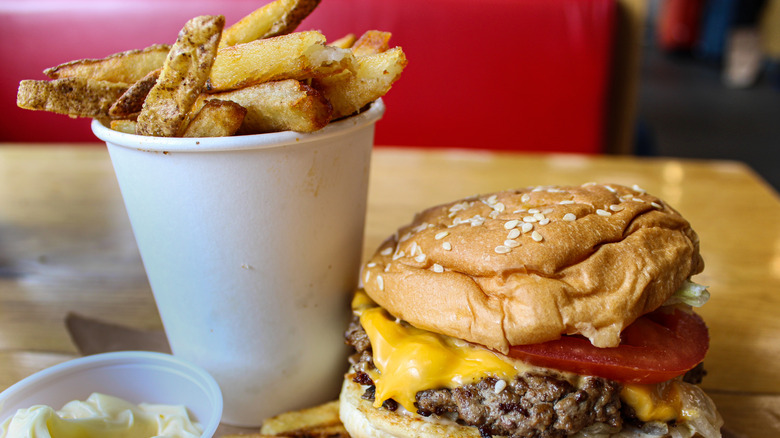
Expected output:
{"points": [[66, 246]]}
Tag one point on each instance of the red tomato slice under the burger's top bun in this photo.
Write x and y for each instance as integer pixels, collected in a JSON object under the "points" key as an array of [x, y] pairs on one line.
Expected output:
{"points": [[656, 347]]}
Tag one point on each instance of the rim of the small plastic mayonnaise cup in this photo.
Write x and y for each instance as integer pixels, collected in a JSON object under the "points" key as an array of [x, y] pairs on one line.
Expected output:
{"points": [[195, 374]]}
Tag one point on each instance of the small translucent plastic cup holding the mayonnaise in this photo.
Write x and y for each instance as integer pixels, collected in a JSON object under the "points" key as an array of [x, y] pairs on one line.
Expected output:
{"points": [[135, 376]]}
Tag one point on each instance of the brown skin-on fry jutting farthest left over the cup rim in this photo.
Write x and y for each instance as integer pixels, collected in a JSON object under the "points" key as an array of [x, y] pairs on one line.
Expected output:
{"points": [[77, 97]]}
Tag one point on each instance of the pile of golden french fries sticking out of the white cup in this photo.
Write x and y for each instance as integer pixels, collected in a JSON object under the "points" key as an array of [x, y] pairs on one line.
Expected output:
{"points": [[256, 76]]}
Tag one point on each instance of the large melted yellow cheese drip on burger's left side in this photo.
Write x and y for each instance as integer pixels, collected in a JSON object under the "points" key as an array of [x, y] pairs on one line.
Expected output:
{"points": [[411, 360]]}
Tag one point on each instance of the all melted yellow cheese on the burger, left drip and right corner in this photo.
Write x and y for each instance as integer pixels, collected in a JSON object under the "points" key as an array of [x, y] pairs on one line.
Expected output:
{"points": [[410, 360]]}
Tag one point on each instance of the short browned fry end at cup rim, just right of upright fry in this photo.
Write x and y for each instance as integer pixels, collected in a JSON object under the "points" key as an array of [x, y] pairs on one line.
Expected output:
{"points": [[217, 118]]}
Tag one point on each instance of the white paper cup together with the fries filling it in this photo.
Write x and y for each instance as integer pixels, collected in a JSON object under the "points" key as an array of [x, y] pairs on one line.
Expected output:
{"points": [[243, 156]]}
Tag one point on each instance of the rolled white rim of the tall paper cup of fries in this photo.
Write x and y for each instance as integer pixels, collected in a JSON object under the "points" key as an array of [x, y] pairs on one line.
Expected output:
{"points": [[237, 142]]}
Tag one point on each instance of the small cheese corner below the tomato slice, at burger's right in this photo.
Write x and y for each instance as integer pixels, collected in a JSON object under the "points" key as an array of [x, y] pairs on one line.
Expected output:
{"points": [[660, 402]]}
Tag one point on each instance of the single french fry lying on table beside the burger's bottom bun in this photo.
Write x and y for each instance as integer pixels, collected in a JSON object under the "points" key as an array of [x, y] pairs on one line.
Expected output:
{"points": [[320, 421]]}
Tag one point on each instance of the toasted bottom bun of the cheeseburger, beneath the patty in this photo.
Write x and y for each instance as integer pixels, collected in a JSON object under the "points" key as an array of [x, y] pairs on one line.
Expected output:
{"points": [[363, 420]]}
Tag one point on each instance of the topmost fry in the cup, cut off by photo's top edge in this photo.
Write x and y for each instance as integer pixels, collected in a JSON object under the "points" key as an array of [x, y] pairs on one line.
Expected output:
{"points": [[276, 18]]}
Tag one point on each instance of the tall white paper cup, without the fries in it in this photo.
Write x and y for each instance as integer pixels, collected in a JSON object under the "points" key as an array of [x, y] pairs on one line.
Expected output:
{"points": [[252, 246]]}
